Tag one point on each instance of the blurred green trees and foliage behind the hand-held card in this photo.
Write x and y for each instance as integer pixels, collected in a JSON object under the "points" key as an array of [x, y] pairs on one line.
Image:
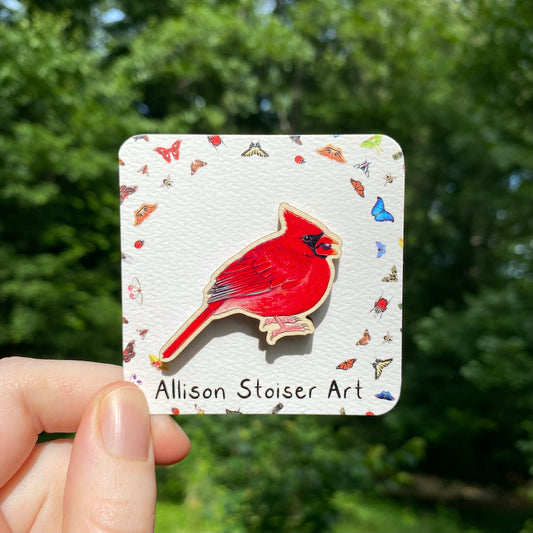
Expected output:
{"points": [[450, 80]]}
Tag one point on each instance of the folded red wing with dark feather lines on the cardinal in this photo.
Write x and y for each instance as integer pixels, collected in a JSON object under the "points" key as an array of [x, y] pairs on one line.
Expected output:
{"points": [[250, 275]]}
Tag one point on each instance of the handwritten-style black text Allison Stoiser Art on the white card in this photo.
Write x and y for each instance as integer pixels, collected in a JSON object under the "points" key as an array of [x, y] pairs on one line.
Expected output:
{"points": [[176, 389]]}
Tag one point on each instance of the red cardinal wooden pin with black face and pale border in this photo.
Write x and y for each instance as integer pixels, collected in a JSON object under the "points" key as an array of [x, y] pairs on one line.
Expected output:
{"points": [[278, 280]]}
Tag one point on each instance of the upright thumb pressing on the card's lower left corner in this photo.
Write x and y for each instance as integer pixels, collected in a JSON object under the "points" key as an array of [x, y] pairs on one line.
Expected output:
{"points": [[110, 483]]}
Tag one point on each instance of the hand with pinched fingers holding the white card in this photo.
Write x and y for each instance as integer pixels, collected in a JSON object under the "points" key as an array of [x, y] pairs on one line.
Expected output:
{"points": [[104, 479]]}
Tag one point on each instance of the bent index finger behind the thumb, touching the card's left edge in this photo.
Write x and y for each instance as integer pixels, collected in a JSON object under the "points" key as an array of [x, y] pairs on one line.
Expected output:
{"points": [[43, 395]]}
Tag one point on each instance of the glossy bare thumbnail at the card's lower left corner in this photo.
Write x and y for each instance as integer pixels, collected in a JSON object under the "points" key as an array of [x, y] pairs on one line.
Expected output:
{"points": [[125, 423]]}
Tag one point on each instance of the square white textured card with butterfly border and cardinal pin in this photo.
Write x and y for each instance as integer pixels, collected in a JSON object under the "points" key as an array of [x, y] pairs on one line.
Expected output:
{"points": [[206, 255]]}
